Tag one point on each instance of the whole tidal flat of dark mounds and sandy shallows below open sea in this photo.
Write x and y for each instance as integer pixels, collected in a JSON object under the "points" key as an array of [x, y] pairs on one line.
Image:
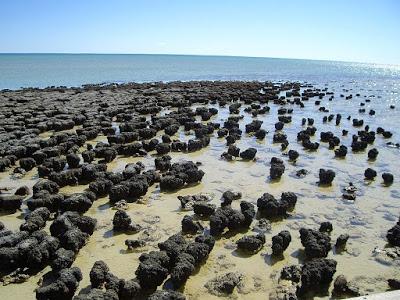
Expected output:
{"points": [[64, 150]]}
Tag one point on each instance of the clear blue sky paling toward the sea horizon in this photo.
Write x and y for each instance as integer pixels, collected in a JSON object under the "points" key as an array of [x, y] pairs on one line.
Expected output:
{"points": [[350, 30]]}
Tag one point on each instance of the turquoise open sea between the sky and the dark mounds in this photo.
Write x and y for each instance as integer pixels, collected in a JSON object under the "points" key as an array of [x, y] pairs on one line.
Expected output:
{"points": [[41, 70]]}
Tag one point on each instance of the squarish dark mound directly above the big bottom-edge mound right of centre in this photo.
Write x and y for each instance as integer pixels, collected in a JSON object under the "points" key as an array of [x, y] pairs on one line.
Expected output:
{"points": [[316, 244]]}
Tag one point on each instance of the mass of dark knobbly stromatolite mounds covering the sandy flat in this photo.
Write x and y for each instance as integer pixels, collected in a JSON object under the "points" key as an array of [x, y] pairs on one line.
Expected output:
{"points": [[149, 122]]}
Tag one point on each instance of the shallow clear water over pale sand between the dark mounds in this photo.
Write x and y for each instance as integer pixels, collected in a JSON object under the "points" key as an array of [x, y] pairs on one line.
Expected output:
{"points": [[366, 220]]}
